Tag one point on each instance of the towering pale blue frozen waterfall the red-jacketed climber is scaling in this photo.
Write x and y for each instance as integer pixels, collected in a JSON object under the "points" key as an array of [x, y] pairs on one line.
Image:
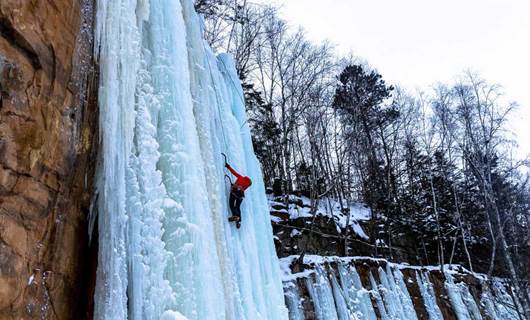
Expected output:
{"points": [[168, 109]]}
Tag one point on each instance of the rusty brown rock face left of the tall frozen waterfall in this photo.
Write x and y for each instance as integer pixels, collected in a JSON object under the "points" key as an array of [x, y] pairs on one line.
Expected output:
{"points": [[48, 126]]}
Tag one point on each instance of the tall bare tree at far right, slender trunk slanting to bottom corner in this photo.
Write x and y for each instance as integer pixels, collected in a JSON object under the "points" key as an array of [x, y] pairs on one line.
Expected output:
{"points": [[484, 115]]}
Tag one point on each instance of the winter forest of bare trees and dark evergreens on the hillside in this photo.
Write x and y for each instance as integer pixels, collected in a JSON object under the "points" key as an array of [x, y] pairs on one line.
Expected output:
{"points": [[439, 164]]}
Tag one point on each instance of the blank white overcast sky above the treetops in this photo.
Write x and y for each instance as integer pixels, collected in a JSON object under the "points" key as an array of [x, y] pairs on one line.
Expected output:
{"points": [[416, 43]]}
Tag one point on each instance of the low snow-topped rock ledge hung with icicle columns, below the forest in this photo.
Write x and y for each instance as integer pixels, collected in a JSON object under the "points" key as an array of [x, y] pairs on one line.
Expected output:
{"points": [[333, 289]]}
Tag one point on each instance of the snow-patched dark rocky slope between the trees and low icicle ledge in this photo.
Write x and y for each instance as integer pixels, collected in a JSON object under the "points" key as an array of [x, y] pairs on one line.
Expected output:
{"points": [[323, 234]]}
